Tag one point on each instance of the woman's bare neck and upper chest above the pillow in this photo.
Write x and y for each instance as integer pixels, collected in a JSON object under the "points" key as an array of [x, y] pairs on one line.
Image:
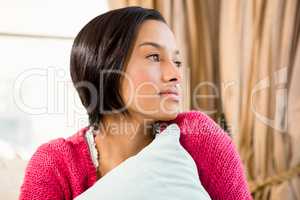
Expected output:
{"points": [[120, 138]]}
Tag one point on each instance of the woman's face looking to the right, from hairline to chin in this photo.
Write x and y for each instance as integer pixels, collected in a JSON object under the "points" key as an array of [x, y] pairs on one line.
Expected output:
{"points": [[153, 74]]}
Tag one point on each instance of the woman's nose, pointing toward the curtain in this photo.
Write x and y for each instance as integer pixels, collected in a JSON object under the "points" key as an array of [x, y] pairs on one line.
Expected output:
{"points": [[171, 73]]}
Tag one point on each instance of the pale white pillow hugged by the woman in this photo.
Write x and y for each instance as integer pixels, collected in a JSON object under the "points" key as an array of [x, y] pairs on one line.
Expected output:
{"points": [[161, 170]]}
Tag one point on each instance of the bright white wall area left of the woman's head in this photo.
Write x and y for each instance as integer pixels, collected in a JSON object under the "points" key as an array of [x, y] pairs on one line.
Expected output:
{"points": [[36, 93]]}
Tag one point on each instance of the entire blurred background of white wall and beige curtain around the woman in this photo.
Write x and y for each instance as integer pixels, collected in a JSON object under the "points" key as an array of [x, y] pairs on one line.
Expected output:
{"points": [[241, 67]]}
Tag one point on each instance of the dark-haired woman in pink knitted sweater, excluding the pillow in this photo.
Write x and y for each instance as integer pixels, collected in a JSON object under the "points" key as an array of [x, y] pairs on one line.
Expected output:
{"points": [[126, 68]]}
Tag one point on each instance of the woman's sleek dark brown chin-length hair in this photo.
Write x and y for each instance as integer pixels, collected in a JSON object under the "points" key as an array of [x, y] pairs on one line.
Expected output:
{"points": [[103, 45]]}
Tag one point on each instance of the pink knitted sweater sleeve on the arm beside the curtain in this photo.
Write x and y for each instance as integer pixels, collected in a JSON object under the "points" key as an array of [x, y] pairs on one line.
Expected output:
{"points": [[215, 154]]}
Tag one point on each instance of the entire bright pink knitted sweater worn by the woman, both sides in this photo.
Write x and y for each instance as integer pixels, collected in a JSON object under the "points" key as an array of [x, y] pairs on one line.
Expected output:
{"points": [[63, 169]]}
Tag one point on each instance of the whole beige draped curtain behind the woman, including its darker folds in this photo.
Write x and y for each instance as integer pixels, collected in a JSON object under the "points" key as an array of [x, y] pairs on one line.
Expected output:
{"points": [[242, 58]]}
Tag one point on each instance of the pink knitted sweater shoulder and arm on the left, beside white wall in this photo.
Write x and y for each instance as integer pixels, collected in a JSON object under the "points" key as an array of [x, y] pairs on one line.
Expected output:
{"points": [[63, 163]]}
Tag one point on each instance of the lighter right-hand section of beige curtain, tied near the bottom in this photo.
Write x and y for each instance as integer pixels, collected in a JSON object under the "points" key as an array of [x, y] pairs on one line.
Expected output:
{"points": [[259, 56]]}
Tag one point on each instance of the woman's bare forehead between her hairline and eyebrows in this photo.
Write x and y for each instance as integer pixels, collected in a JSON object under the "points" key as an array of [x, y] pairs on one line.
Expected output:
{"points": [[158, 32]]}
